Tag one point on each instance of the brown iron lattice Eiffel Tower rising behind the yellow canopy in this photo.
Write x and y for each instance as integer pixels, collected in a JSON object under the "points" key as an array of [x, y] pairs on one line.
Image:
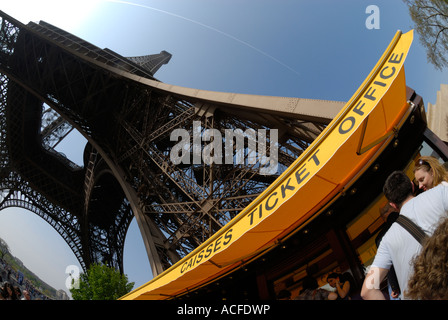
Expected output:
{"points": [[53, 82]]}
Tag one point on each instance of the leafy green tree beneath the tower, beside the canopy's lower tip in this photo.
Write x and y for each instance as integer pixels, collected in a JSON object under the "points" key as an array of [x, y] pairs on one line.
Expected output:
{"points": [[101, 282]]}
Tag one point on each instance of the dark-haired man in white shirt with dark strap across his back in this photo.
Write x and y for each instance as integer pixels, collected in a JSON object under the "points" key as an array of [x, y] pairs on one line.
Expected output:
{"points": [[398, 247]]}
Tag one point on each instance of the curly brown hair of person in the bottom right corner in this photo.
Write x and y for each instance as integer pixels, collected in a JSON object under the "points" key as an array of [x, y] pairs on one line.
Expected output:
{"points": [[429, 280]]}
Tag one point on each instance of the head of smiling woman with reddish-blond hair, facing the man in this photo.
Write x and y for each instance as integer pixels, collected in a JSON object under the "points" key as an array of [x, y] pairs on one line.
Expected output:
{"points": [[428, 172]]}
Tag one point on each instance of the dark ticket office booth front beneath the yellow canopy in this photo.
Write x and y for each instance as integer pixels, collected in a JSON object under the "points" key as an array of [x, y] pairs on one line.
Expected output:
{"points": [[340, 237]]}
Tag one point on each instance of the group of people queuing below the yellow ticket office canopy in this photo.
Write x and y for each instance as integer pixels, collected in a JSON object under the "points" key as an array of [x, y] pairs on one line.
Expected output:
{"points": [[413, 268]]}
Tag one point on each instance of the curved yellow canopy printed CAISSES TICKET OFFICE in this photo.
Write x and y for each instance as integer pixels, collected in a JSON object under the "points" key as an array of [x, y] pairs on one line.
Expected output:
{"points": [[327, 167]]}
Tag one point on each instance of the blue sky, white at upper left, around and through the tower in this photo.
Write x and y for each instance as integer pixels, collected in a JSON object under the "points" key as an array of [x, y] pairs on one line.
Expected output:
{"points": [[318, 49]]}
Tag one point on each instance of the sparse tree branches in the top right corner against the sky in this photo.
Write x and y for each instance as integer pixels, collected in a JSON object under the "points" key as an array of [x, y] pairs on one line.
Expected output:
{"points": [[431, 24]]}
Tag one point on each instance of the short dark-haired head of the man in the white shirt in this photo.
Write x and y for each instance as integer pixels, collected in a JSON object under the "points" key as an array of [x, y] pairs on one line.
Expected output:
{"points": [[397, 188]]}
